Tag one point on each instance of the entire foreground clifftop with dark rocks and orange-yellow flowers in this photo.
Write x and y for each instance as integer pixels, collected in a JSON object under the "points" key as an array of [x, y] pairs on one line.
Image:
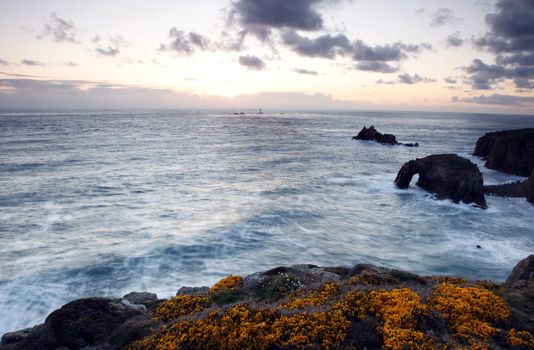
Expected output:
{"points": [[303, 306]]}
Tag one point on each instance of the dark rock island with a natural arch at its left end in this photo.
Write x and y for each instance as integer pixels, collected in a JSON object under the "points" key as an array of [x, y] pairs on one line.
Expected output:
{"points": [[448, 176]]}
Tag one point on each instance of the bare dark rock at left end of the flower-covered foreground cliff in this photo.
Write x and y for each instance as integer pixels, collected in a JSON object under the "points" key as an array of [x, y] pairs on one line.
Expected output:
{"points": [[90, 322]]}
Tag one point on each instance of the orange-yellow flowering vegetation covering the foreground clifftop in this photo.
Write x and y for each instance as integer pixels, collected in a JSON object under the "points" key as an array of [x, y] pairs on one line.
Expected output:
{"points": [[372, 309]]}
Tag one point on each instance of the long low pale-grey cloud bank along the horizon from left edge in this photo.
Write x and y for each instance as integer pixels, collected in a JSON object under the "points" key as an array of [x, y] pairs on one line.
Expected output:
{"points": [[80, 94]]}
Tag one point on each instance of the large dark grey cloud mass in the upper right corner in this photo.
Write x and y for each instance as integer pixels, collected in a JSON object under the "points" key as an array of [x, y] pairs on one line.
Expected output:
{"points": [[511, 38]]}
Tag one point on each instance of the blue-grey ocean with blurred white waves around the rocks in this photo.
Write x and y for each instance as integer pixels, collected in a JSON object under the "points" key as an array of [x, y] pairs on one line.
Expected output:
{"points": [[105, 203]]}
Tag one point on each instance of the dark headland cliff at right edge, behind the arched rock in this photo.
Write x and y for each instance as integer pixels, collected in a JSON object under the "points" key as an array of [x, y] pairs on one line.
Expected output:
{"points": [[510, 151]]}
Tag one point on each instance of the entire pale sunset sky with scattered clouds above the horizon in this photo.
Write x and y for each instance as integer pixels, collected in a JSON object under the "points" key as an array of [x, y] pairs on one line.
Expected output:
{"points": [[454, 55]]}
